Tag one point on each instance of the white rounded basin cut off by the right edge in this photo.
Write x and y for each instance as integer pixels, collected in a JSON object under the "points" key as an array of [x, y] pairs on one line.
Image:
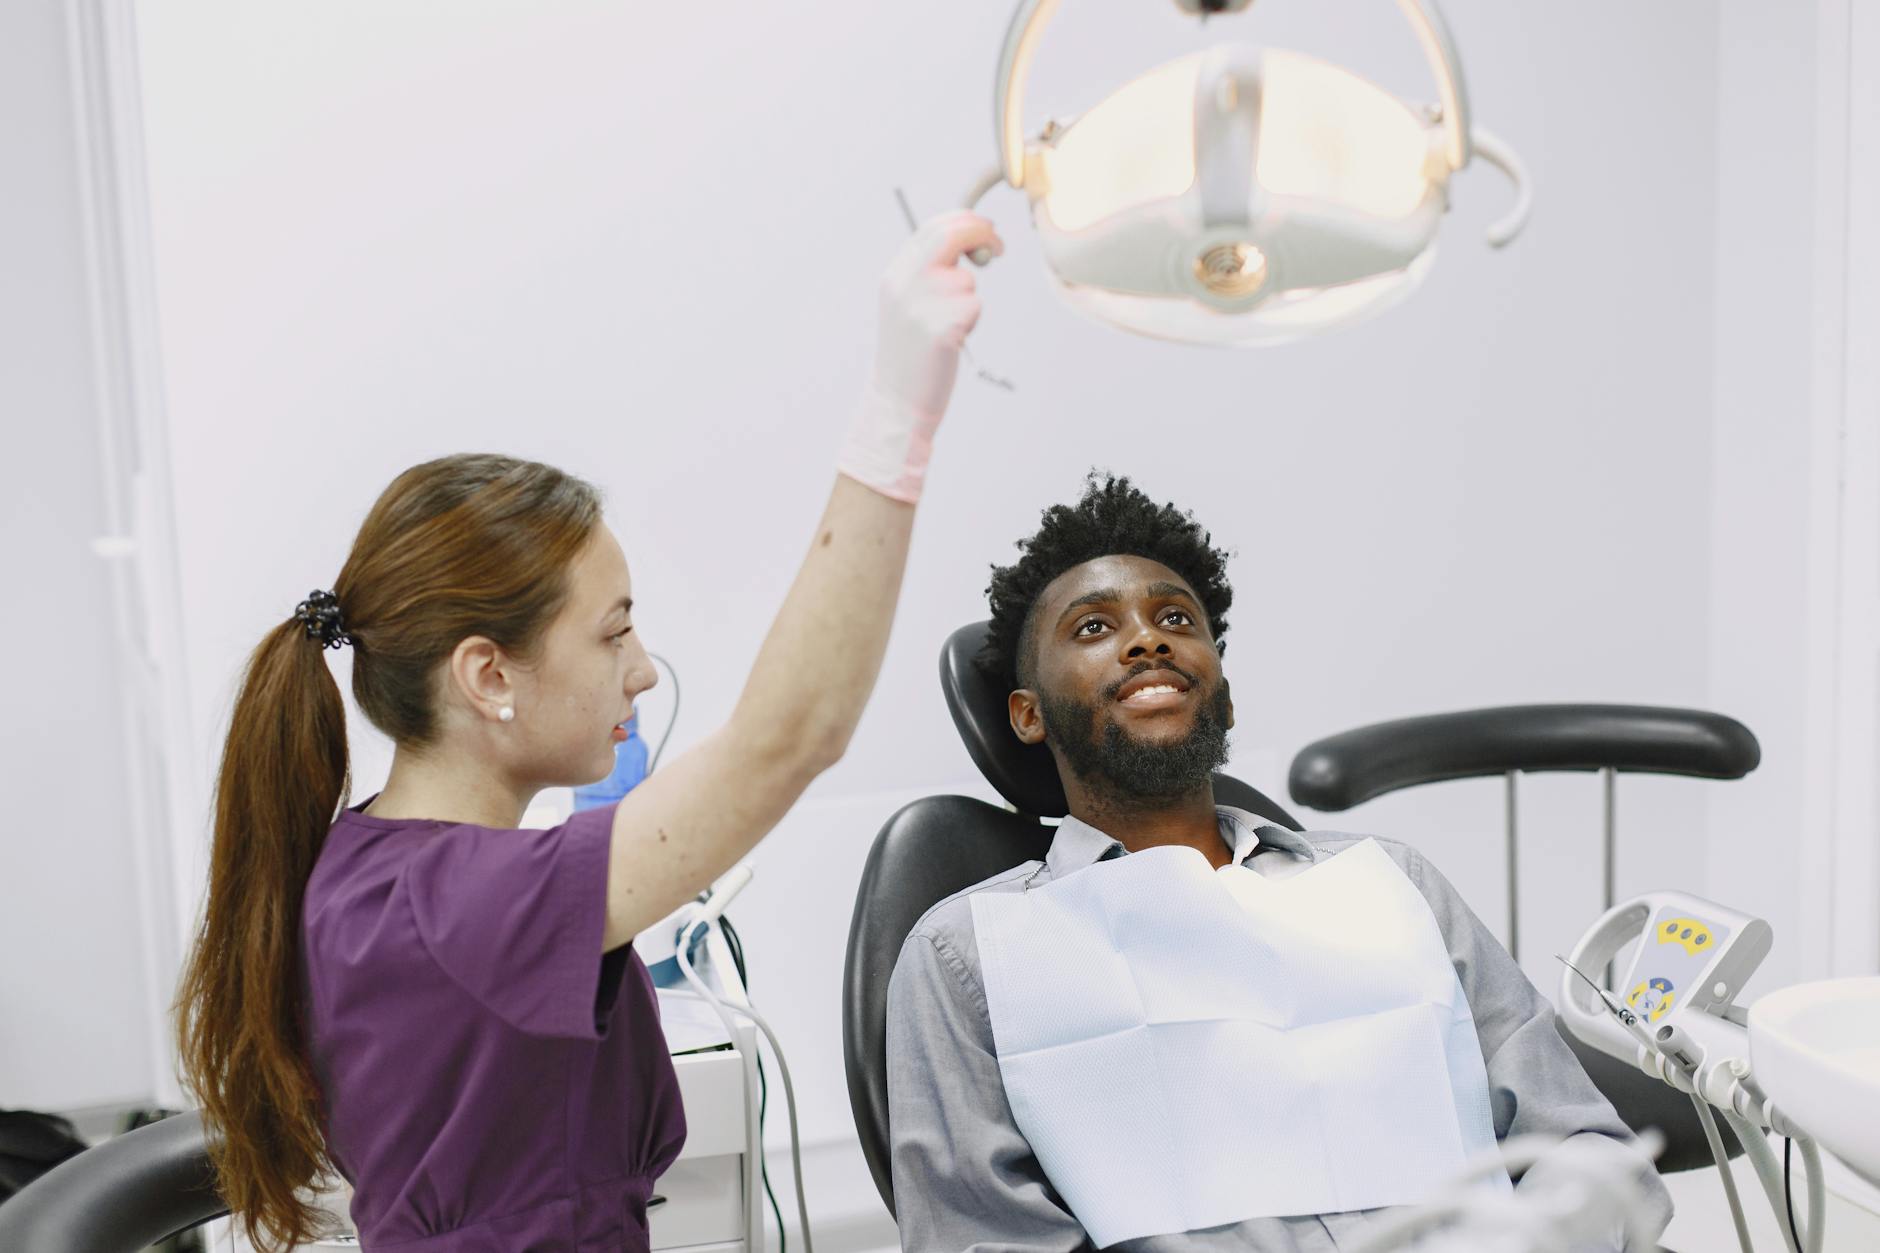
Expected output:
{"points": [[1815, 1049]]}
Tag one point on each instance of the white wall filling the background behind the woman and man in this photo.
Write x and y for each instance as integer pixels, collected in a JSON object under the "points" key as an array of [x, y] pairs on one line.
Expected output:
{"points": [[644, 244]]}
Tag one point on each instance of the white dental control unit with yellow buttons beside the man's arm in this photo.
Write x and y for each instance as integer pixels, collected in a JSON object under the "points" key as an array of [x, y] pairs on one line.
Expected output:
{"points": [[1693, 960]]}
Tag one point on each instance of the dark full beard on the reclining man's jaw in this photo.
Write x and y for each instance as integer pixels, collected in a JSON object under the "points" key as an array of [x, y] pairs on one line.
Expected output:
{"points": [[1129, 770]]}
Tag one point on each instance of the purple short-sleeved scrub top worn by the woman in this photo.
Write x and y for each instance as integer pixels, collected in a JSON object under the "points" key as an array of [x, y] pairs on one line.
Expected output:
{"points": [[493, 1083]]}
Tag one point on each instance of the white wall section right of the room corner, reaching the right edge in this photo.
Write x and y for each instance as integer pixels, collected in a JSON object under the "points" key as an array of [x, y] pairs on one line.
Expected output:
{"points": [[1793, 528]]}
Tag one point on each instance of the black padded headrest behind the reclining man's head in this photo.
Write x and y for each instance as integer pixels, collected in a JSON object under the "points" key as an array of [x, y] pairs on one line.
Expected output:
{"points": [[1026, 774]]}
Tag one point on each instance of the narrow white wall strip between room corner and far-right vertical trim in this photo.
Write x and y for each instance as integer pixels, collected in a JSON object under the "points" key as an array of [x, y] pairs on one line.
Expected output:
{"points": [[1761, 513]]}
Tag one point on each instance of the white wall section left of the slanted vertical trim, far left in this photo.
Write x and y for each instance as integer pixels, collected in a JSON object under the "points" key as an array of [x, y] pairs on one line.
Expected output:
{"points": [[76, 996]]}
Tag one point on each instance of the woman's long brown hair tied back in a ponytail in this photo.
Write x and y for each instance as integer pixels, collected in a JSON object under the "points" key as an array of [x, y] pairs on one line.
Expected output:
{"points": [[471, 545]]}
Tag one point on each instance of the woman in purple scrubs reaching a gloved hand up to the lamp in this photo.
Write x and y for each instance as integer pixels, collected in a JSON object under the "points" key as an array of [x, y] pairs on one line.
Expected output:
{"points": [[448, 1009]]}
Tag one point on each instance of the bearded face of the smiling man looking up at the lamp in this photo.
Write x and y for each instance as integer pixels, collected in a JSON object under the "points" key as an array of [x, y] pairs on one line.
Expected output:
{"points": [[1127, 686]]}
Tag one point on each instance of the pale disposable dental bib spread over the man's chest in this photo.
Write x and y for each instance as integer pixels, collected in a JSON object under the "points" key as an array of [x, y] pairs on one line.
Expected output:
{"points": [[1191, 1049]]}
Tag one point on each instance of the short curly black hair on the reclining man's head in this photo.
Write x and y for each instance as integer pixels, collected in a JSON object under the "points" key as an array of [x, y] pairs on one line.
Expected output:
{"points": [[1114, 518]]}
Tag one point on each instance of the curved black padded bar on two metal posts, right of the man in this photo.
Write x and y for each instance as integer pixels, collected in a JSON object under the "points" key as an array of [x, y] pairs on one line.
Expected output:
{"points": [[1475, 744]]}
